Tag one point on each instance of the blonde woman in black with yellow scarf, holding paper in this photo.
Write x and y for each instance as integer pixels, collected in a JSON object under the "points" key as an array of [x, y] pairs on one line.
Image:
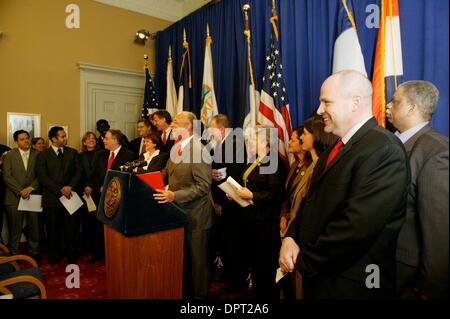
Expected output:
{"points": [[263, 185]]}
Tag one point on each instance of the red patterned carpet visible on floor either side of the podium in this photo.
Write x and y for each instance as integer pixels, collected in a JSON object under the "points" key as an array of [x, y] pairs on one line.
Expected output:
{"points": [[93, 281]]}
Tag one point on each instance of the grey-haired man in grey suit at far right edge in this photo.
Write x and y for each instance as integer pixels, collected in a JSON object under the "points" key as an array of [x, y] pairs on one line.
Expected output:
{"points": [[423, 244]]}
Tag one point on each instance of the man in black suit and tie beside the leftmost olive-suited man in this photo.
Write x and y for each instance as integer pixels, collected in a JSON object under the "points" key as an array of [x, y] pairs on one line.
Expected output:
{"points": [[59, 174]]}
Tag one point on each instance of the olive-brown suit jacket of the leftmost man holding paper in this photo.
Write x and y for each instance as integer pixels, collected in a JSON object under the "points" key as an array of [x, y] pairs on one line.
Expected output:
{"points": [[16, 177]]}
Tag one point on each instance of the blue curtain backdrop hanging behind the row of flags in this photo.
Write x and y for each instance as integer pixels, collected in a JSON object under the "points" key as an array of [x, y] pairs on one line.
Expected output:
{"points": [[308, 29]]}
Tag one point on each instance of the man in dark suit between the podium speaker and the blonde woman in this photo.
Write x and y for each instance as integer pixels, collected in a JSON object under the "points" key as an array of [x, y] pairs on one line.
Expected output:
{"points": [[228, 160]]}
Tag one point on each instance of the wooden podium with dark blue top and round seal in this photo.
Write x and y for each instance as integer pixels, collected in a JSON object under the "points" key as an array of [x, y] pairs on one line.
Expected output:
{"points": [[143, 240]]}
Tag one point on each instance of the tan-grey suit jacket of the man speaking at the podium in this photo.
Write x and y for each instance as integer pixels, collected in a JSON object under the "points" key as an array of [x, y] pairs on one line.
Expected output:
{"points": [[191, 181]]}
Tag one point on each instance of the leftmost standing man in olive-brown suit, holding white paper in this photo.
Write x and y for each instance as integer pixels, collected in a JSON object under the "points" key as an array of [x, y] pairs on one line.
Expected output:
{"points": [[20, 178]]}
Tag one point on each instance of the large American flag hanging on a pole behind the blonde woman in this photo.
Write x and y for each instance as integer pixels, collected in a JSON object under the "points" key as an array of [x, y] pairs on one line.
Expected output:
{"points": [[274, 104]]}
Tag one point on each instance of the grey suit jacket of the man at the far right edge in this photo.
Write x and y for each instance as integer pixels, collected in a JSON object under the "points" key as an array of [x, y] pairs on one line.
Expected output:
{"points": [[423, 240]]}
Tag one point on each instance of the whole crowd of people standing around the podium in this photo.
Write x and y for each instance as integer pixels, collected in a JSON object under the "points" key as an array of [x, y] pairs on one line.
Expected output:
{"points": [[360, 213]]}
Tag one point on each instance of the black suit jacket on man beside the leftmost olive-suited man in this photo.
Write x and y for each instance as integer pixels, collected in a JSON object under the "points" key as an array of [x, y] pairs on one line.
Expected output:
{"points": [[53, 174]]}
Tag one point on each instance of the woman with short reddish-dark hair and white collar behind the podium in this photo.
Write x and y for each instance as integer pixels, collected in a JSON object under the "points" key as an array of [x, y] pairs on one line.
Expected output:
{"points": [[156, 160]]}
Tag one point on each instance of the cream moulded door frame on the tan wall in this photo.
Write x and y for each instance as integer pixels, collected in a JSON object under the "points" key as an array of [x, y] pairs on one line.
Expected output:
{"points": [[98, 78]]}
